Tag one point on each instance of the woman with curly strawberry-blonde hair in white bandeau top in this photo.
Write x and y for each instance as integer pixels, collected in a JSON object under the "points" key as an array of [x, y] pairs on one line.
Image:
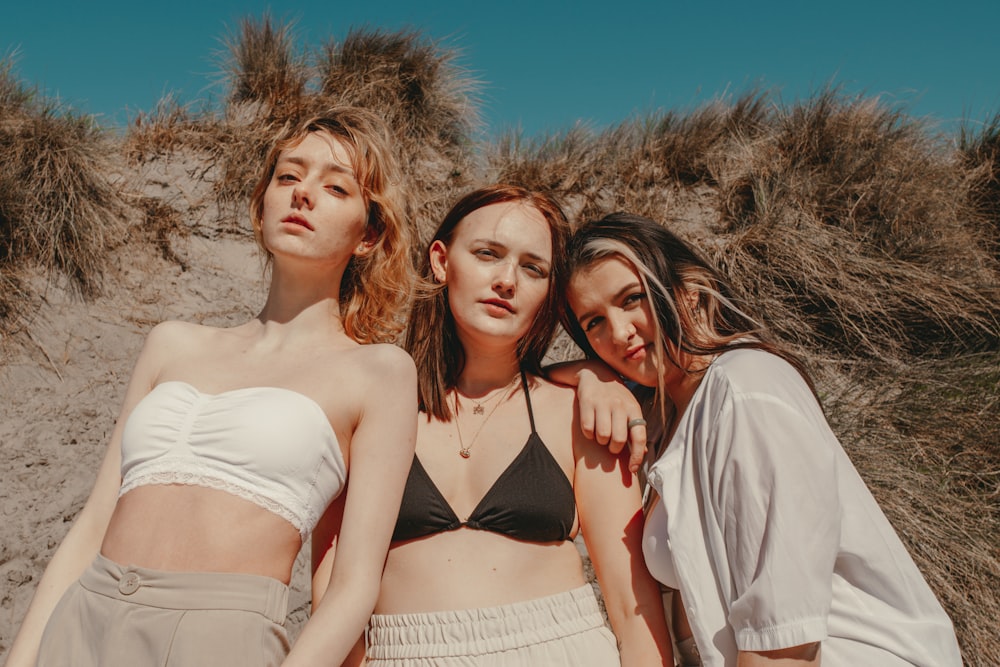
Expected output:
{"points": [[233, 442]]}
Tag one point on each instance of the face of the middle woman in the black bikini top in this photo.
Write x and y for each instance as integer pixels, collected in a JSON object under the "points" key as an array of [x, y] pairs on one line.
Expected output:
{"points": [[497, 269]]}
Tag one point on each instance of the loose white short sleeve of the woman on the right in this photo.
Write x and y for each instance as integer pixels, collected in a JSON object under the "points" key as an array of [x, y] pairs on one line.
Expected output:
{"points": [[776, 497]]}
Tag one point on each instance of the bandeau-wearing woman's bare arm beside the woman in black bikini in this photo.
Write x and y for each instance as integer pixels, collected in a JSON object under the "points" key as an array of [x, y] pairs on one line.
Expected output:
{"points": [[381, 452]]}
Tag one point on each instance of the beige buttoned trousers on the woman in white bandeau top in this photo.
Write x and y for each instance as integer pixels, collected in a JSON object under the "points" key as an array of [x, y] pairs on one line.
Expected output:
{"points": [[136, 617]]}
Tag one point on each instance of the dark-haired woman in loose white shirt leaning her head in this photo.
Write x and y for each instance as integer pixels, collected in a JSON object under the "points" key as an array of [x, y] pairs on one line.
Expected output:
{"points": [[779, 550]]}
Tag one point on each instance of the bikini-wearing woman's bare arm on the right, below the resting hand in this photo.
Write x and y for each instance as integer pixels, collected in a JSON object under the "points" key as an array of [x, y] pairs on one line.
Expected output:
{"points": [[611, 521]]}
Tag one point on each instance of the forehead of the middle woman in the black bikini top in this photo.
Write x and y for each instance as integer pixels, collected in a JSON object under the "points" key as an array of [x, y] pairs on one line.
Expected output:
{"points": [[513, 224]]}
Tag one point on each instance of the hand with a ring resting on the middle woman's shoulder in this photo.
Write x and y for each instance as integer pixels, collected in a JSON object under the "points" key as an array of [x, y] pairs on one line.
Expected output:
{"points": [[606, 406]]}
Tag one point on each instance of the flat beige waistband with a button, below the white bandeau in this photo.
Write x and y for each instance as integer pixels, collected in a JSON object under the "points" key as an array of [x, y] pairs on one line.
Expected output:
{"points": [[187, 590]]}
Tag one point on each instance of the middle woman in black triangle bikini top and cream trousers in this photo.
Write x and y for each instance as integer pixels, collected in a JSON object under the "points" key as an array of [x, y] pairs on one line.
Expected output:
{"points": [[483, 569]]}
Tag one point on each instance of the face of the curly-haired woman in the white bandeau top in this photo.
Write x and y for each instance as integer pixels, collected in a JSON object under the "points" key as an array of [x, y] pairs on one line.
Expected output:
{"points": [[314, 207]]}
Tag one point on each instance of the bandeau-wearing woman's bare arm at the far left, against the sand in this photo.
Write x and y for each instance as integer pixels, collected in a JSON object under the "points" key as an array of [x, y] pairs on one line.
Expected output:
{"points": [[83, 540]]}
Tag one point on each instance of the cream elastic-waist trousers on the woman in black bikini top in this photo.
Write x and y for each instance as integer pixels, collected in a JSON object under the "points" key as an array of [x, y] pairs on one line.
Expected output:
{"points": [[563, 629]]}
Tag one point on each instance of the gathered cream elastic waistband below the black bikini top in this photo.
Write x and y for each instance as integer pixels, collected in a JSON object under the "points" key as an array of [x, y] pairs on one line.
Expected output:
{"points": [[483, 630]]}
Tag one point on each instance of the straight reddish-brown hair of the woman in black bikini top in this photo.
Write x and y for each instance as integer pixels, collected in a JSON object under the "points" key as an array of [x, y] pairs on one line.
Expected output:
{"points": [[431, 337]]}
